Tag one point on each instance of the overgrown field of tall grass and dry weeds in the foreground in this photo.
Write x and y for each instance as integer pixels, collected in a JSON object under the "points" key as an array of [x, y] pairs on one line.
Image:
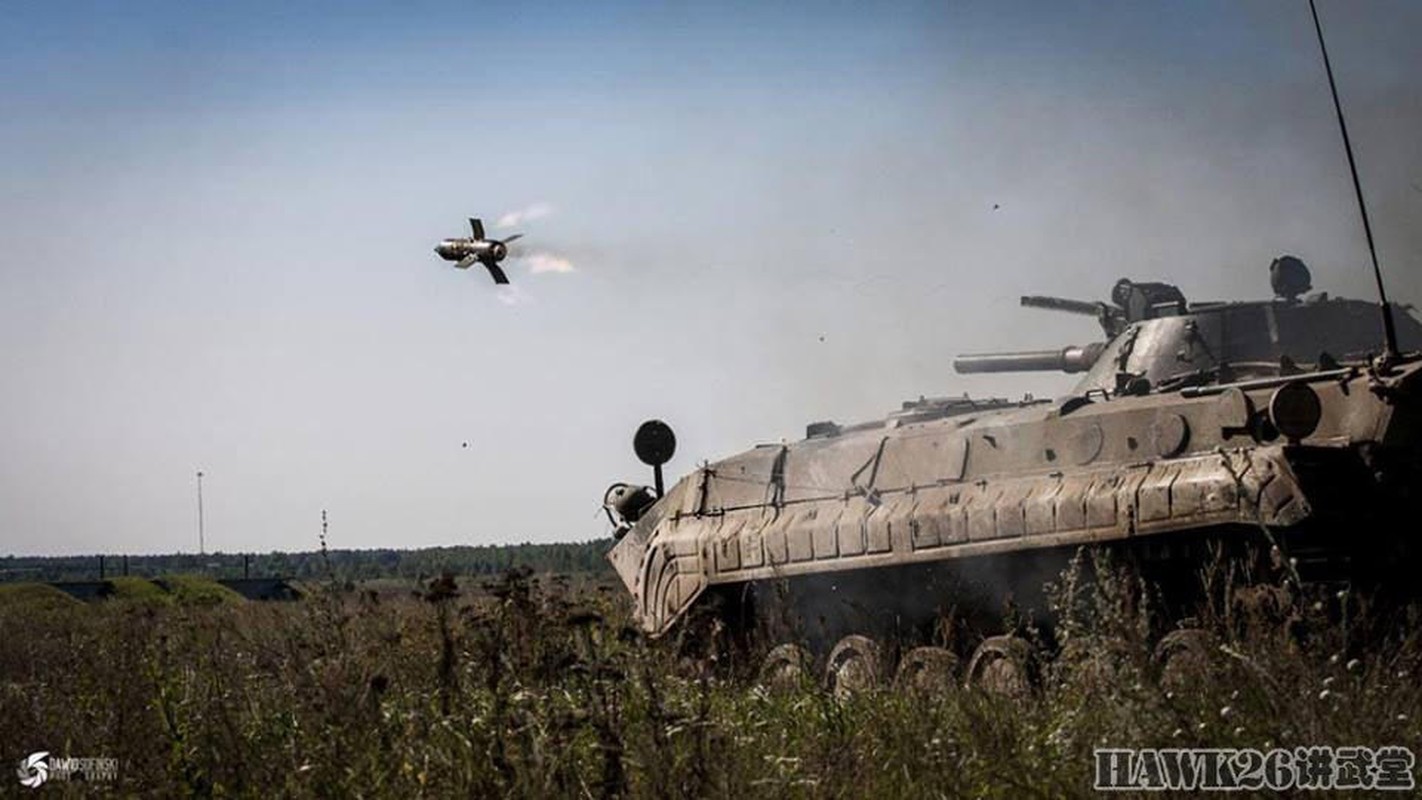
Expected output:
{"points": [[538, 688]]}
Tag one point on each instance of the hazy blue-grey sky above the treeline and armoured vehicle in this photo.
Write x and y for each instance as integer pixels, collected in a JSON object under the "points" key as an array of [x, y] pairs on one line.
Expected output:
{"points": [[218, 227]]}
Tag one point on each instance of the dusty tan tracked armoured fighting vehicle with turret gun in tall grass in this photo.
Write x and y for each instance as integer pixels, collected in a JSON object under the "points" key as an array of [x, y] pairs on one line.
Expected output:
{"points": [[1283, 428]]}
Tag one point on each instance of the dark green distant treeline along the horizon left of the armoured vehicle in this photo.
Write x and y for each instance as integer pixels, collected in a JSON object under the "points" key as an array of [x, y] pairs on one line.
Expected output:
{"points": [[585, 558]]}
